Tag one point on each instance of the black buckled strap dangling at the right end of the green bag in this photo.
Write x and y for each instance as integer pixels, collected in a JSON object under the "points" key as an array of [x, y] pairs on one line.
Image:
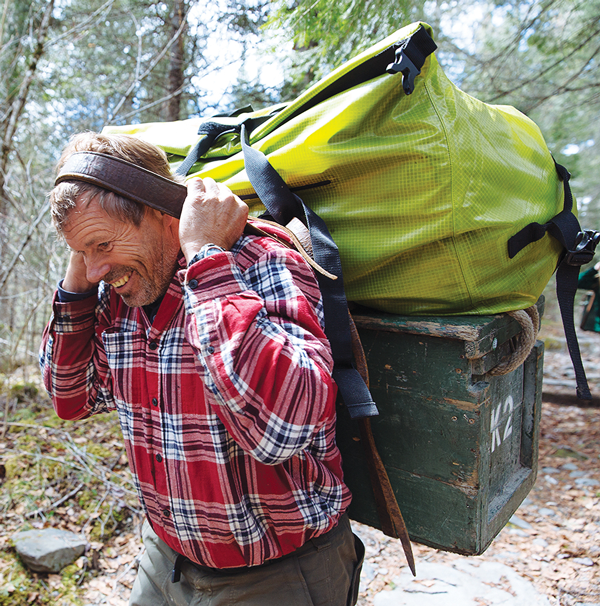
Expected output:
{"points": [[579, 247]]}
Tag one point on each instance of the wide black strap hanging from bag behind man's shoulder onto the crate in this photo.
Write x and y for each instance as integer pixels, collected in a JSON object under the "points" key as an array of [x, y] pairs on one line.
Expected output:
{"points": [[283, 205]]}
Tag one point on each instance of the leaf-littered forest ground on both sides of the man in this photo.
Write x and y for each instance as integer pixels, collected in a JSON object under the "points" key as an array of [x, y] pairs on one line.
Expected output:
{"points": [[553, 539]]}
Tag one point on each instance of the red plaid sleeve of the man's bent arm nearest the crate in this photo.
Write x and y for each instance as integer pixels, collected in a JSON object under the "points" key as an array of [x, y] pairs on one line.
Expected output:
{"points": [[261, 349]]}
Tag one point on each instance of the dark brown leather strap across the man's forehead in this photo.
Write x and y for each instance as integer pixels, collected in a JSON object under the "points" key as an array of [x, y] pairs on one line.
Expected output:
{"points": [[125, 179]]}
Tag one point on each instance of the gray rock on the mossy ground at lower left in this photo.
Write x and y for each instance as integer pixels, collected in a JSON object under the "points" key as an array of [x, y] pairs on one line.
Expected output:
{"points": [[49, 549]]}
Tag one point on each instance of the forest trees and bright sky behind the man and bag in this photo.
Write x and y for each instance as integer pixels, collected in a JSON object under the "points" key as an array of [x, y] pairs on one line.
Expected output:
{"points": [[74, 65]]}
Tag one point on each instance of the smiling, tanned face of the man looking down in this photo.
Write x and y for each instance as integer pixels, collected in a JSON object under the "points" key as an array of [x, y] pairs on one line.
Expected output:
{"points": [[138, 262]]}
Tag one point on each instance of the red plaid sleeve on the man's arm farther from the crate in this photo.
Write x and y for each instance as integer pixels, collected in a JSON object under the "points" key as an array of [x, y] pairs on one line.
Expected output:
{"points": [[72, 359]]}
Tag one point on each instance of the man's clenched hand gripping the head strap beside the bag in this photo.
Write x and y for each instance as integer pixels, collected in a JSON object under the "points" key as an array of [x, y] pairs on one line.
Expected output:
{"points": [[211, 214]]}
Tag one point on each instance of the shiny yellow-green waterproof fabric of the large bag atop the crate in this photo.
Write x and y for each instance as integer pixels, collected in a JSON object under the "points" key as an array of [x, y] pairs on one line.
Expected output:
{"points": [[421, 193]]}
